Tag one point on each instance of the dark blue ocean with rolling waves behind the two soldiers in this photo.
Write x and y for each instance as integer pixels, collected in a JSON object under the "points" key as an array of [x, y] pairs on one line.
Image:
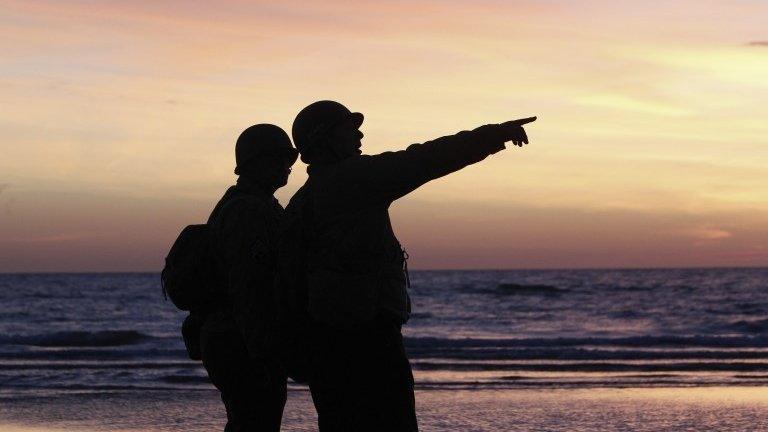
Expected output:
{"points": [[471, 332]]}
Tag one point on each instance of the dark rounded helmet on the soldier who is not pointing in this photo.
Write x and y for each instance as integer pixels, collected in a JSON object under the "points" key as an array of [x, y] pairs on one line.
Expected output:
{"points": [[262, 140]]}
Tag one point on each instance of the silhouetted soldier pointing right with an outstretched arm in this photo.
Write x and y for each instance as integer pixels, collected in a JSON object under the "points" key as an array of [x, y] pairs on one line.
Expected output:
{"points": [[357, 297]]}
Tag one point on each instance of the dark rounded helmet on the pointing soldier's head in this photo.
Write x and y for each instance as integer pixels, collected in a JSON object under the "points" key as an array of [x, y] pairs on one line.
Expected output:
{"points": [[313, 123]]}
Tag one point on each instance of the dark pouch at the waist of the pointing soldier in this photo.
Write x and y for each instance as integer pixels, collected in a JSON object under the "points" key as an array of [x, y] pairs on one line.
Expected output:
{"points": [[342, 299]]}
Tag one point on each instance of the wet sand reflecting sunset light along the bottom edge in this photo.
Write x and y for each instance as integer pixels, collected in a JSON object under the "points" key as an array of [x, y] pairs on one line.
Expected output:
{"points": [[637, 409]]}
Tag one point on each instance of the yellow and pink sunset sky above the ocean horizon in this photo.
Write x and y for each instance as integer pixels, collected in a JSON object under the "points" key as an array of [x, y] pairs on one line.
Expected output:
{"points": [[118, 121]]}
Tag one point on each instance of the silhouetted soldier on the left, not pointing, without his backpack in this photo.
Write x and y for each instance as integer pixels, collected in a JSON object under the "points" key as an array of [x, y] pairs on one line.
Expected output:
{"points": [[235, 336]]}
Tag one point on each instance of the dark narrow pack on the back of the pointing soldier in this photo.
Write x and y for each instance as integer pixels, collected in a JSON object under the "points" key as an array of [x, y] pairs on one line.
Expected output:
{"points": [[293, 323]]}
